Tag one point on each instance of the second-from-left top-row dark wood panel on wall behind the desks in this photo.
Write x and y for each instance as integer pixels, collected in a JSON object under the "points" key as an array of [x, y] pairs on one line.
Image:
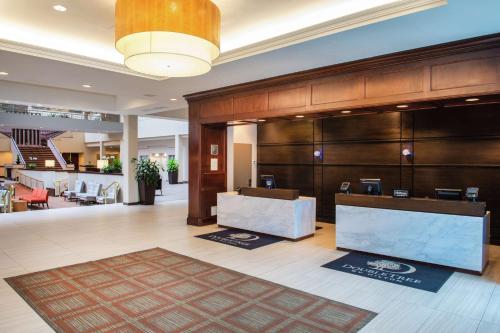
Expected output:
{"points": [[361, 128]]}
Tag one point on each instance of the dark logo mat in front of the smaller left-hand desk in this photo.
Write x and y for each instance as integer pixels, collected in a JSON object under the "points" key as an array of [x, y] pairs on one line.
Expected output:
{"points": [[242, 239]]}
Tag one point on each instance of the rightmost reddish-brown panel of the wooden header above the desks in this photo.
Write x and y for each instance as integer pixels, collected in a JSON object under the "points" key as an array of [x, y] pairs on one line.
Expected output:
{"points": [[467, 73]]}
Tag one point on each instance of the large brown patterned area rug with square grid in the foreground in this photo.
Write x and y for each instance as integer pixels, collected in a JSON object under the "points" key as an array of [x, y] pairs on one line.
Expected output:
{"points": [[161, 291]]}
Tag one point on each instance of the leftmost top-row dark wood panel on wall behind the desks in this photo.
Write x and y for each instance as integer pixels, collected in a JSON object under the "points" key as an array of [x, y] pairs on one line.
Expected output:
{"points": [[298, 131]]}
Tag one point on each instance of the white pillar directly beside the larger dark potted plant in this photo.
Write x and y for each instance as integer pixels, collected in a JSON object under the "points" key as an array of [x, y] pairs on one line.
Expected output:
{"points": [[128, 150]]}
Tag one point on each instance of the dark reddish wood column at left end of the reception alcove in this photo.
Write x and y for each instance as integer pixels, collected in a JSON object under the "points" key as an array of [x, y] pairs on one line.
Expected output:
{"points": [[207, 143]]}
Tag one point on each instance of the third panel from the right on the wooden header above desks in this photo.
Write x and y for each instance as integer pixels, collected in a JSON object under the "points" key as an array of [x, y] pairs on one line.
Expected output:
{"points": [[339, 88]]}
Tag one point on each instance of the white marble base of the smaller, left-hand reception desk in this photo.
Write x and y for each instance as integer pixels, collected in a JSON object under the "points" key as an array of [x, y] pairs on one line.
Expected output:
{"points": [[292, 219]]}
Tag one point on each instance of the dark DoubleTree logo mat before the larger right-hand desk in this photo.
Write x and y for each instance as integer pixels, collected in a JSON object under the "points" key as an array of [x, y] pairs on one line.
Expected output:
{"points": [[419, 276]]}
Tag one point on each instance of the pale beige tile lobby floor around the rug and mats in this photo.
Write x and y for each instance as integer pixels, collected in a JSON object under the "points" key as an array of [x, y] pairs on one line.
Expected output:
{"points": [[39, 240]]}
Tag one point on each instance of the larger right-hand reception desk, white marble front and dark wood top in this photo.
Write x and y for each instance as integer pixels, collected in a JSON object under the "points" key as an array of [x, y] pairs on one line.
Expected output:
{"points": [[448, 233]]}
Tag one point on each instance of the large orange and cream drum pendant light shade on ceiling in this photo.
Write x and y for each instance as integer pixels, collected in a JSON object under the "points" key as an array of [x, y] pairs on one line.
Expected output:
{"points": [[169, 38]]}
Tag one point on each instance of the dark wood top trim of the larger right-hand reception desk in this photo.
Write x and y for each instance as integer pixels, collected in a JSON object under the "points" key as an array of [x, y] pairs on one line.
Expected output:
{"points": [[477, 209]]}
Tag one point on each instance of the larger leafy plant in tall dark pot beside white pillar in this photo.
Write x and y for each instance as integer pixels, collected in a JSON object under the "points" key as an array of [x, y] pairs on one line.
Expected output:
{"points": [[147, 175]]}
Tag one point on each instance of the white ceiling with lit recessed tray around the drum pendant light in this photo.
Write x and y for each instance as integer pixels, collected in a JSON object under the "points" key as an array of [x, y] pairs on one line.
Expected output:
{"points": [[259, 40]]}
